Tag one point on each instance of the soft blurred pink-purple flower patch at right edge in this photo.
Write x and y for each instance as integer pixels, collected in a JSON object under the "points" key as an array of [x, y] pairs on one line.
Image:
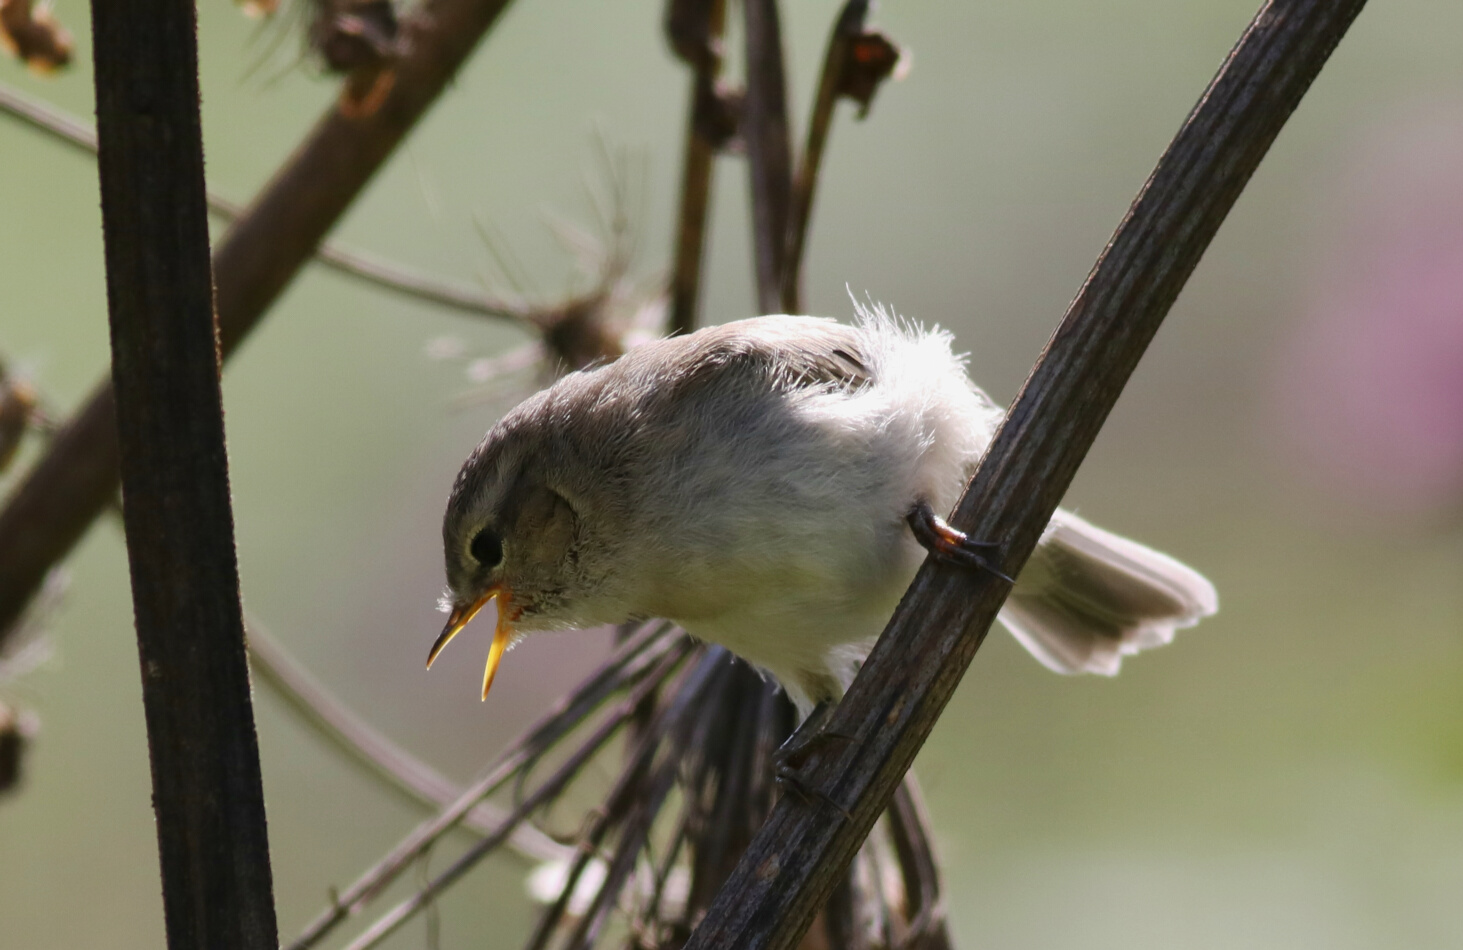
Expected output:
{"points": [[1372, 378]]}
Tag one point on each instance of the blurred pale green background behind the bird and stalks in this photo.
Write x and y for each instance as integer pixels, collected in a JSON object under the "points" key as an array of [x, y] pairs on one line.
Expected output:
{"points": [[1290, 775]]}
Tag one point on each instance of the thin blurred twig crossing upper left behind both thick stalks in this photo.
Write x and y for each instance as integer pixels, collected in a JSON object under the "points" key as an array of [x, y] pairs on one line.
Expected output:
{"points": [[359, 264]]}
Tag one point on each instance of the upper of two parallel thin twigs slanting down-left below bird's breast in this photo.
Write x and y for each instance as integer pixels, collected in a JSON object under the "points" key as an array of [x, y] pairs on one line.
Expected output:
{"points": [[640, 661]]}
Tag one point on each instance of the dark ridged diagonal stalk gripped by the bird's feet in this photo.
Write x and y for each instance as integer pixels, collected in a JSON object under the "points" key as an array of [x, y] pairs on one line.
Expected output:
{"points": [[805, 848]]}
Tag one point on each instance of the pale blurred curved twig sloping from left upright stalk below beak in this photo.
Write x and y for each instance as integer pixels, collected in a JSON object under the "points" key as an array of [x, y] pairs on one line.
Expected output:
{"points": [[378, 756]]}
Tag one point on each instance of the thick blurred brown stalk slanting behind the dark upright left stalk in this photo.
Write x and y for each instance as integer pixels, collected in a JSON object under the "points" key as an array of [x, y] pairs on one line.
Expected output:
{"points": [[257, 260]]}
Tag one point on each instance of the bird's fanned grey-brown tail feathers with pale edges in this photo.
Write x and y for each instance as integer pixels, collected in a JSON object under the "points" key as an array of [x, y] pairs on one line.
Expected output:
{"points": [[1088, 598]]}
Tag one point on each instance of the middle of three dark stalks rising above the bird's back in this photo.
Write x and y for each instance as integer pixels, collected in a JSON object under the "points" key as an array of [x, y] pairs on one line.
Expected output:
{"points": [[769, 150]]}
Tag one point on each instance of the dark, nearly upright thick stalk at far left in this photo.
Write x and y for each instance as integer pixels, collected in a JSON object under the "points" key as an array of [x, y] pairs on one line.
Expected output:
{"points": [[207, 788]]}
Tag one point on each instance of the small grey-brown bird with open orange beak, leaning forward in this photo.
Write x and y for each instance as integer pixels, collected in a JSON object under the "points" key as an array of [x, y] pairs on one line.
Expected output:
{"points": [[772, 487]]}
